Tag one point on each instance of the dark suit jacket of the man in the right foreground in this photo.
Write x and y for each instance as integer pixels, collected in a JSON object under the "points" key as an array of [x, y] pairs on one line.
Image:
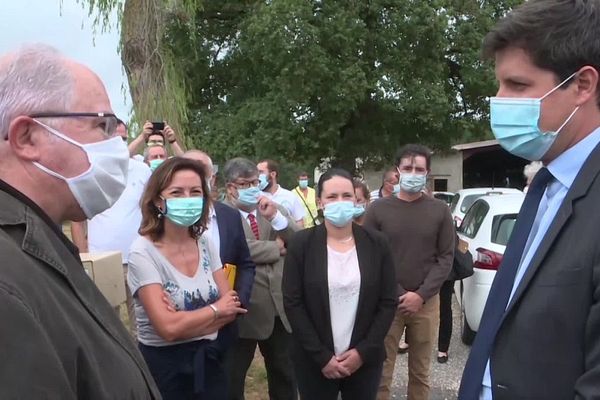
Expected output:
{"points": [[548, 346]]}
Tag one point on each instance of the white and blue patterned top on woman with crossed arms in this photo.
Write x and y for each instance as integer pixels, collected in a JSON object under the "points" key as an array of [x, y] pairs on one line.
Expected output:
{"points": [[148, 266]]}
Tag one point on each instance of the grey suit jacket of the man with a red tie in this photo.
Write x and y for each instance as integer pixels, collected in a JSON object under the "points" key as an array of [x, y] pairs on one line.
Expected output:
{"points": [[266, 301]]}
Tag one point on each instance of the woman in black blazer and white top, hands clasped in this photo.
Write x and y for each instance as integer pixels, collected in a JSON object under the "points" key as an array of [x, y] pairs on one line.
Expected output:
{"points": [[340, 297]]}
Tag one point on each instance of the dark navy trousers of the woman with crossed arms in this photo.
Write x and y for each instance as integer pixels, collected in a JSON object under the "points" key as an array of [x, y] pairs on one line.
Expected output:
{"points": [[187, 371]]}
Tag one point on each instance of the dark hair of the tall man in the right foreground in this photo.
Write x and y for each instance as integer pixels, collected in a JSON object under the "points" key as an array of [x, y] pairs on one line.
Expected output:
{"points": [[560, 36]]}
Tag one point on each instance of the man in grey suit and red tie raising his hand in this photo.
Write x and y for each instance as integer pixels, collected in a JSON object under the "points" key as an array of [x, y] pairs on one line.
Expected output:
{"points": [[268, 228]]}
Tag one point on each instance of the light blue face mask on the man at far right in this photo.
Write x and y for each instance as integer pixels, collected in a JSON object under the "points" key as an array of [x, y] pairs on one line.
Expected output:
{"points": [[515, 123]]}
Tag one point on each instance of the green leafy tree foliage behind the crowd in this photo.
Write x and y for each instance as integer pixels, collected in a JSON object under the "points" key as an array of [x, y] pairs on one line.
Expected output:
{"points": [[301, 81]]}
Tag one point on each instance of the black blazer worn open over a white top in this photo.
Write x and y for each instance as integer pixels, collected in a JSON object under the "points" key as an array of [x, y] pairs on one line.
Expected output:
{"points": [[306, 297]]}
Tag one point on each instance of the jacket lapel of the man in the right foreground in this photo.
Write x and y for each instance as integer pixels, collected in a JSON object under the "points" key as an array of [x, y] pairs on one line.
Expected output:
{"points": [[580, 187]]}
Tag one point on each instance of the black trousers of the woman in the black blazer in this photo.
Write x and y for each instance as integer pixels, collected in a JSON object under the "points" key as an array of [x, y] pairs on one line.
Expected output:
{"points": [[312, 384]]}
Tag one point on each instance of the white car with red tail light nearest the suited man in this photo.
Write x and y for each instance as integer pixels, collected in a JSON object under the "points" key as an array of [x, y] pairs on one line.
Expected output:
{"points": [[486, 228]]}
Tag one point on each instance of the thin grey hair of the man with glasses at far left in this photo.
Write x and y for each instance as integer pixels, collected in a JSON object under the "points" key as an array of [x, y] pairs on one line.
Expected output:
{"points": [[36, 78]]}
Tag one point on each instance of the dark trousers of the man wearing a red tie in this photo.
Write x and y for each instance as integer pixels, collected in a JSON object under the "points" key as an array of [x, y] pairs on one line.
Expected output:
{"points": [[276, 352]]}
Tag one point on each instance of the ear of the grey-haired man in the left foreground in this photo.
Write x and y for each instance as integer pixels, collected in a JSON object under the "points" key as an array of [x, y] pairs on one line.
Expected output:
{"points": [[24, 138]]}
